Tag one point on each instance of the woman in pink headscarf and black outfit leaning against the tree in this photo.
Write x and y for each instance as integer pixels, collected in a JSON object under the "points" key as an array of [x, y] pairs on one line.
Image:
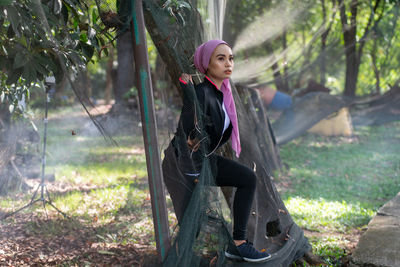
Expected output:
{"points": [[214, 59]]}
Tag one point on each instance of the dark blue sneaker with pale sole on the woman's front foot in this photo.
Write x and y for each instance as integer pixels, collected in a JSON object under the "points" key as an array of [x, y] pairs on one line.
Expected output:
{"points": [[247, 252]]}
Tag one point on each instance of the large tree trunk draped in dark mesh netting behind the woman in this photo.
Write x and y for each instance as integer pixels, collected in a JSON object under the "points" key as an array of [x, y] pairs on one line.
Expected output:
{"points": [[203, 211]]}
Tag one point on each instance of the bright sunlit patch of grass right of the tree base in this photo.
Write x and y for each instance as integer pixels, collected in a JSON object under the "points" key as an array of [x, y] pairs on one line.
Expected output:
{"points": [[322, 215]]}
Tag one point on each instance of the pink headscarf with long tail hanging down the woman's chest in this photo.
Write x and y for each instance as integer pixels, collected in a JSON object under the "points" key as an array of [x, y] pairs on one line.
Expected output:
{"points": [[202, 58]]}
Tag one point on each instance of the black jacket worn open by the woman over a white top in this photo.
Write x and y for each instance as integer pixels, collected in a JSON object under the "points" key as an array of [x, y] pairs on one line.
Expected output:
{"points": [[202, 123]]}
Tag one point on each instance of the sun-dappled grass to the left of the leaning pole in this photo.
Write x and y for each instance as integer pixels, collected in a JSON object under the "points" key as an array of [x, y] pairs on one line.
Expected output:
{"points": [[106, 185]]}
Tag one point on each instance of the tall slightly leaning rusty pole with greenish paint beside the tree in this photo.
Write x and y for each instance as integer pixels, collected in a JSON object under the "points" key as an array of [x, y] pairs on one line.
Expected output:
{"points": [[149, 128]]}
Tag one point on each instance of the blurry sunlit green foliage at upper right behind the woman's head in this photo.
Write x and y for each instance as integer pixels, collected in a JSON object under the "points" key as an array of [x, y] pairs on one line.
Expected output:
{"points": [[295, 44]]}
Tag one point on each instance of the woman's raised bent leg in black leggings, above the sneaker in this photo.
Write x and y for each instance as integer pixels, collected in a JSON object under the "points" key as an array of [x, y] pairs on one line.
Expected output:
{"points": [[232, 173]]}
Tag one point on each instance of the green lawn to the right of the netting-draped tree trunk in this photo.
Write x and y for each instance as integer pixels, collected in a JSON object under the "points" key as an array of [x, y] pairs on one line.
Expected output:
{"points": [[335, 185]]}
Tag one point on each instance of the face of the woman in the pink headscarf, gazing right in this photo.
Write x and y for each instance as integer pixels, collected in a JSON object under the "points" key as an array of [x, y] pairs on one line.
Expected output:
{"points": [[221, 64]]}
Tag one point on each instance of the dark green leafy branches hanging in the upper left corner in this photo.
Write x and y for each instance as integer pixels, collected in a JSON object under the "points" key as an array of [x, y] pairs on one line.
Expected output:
{"points": [[44, 38]]}
